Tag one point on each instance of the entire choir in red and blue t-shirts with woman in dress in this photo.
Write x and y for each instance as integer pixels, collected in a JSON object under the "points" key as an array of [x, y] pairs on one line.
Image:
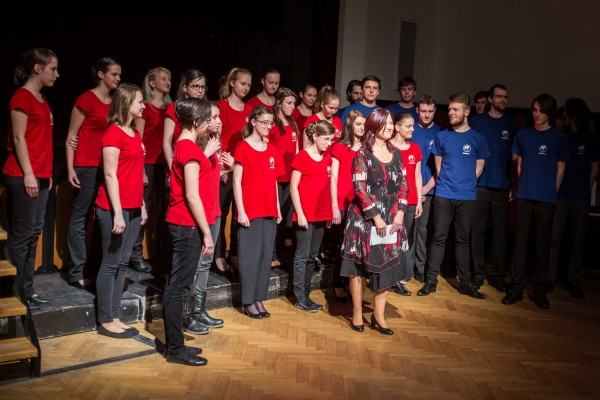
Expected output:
{"points": [[382, 186]]}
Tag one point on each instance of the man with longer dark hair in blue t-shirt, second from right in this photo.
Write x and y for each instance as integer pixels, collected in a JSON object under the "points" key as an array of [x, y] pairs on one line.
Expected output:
{"points": [[541, 152]]}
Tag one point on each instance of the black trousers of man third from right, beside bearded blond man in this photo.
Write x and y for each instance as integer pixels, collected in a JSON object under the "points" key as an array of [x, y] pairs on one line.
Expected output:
{"points": [[494, 201]]}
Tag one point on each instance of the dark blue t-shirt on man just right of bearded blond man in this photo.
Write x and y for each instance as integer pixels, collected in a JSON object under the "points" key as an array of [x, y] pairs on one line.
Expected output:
{"points": [[499, 134]]}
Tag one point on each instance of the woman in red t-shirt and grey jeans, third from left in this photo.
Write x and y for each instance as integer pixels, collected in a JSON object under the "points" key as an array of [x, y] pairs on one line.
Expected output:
{"points": [[120, 207]]}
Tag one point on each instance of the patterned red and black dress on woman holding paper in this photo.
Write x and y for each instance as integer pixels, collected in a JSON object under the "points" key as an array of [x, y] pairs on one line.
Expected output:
{"points": [[380, 189]]}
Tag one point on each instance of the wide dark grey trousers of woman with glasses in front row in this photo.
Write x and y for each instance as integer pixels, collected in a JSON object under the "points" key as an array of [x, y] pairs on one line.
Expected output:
{"points": [[255, 255]]}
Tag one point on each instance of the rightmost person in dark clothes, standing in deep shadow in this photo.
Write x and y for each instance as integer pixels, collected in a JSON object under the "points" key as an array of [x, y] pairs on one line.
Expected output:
{"points": [[574, 195]]}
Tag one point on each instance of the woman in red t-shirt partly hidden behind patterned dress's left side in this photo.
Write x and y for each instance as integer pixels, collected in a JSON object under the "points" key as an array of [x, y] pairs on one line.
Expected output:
{"points": [[342, 189]]}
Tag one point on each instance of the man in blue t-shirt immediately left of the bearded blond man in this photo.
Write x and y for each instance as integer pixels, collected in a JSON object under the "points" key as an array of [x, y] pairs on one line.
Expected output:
{"points": [[425, 131]]}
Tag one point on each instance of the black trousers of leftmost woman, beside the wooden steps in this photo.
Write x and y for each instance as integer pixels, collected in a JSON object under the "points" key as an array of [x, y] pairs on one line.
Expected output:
{"points": [[28, 223]]}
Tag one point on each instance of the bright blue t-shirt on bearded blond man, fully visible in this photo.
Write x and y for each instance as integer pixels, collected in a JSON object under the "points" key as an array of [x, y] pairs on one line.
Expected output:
{"points": [[459, 151]]}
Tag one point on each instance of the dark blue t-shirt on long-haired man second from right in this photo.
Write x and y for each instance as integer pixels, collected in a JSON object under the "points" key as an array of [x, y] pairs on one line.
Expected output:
{"points": [[540, 150]]}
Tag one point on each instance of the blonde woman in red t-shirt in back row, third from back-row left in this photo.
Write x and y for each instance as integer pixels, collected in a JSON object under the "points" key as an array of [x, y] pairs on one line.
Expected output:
{"points": [[157, 84]]}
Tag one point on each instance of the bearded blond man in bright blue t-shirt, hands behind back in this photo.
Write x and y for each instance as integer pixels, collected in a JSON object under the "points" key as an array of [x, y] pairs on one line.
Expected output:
{"points": [[460, 154]]}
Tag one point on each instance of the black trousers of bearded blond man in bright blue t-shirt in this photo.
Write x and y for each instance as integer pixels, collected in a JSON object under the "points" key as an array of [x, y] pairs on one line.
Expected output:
{"points": [[445, 211]]}
